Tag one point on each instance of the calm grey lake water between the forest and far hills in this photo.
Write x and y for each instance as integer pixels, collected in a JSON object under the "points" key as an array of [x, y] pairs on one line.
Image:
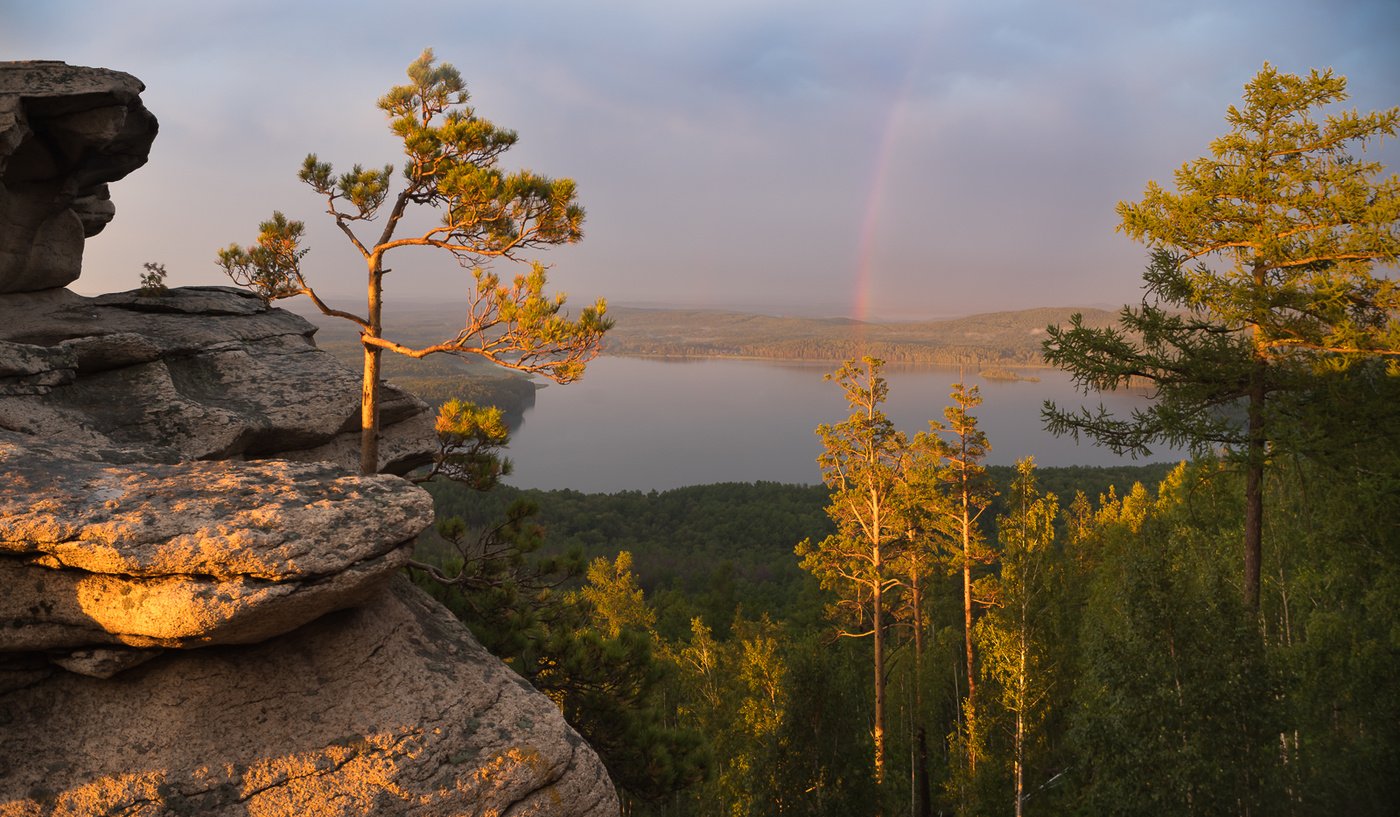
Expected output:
{"points": [[642, 425]]}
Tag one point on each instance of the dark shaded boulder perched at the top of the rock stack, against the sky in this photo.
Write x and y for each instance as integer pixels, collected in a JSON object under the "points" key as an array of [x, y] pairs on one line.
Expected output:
{"points": [[65, 134]]}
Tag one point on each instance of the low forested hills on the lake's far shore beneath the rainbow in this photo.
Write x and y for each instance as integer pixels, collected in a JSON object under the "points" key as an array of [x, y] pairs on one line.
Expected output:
{"points": [[989, 339]]}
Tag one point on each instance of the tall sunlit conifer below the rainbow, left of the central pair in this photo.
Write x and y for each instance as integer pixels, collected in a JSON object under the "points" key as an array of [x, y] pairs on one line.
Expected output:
{"points": [[862, 465]]}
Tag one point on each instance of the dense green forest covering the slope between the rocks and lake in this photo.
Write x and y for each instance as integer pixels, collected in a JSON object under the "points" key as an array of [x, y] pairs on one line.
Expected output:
{"points": [[1118, 668]]}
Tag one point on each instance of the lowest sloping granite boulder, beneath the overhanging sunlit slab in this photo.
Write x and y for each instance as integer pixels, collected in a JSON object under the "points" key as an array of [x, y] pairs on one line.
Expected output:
{"points": [[386, 710]]}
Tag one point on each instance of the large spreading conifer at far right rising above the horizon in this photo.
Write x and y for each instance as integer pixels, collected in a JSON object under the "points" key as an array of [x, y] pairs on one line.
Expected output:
{"points": [[1262, 273]]}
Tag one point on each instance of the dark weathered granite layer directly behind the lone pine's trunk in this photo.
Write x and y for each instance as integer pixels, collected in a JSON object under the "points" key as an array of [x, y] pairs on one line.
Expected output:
{"points": [[198, 373]]}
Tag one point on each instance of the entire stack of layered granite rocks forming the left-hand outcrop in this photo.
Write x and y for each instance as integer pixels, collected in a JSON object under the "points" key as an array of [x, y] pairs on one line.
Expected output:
{"points": [[204, 608]]}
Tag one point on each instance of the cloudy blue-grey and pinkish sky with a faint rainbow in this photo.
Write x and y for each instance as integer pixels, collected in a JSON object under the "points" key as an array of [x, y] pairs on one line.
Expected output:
{"points": [[881, 160]]}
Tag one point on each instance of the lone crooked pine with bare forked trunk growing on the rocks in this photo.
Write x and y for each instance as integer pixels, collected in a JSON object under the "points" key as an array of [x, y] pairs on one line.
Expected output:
{"points": [[486, 213]]}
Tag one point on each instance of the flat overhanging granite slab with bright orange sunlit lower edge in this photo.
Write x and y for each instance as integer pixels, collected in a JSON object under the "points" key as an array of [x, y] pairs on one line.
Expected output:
{"points": [[190, 555]]}
